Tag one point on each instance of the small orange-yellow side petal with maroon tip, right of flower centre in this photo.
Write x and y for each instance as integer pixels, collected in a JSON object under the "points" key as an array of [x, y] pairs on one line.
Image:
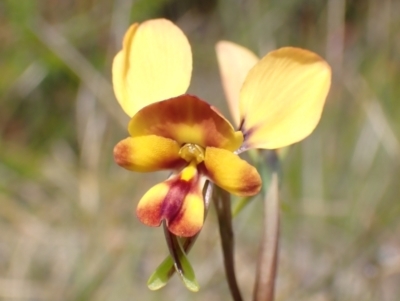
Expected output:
{"points": [[231, 173]]}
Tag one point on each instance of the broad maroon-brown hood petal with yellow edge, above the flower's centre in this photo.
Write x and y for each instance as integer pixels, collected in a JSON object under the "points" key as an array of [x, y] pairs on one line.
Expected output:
{"points": [[186, 119]]}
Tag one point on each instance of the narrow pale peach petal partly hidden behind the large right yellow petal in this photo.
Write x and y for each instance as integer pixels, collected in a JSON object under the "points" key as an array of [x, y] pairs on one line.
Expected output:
{"points": [[234, 63]]}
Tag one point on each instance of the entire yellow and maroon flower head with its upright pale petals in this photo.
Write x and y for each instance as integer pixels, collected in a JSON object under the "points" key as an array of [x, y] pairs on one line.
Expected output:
{"points": [[280, 103]]}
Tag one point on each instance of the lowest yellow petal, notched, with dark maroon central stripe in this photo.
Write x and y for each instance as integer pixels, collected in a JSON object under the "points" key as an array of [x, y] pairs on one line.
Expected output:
{"points": [[178, 200]]}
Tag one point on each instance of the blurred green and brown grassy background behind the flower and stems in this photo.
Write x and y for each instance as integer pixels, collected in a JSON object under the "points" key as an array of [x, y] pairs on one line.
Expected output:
{"points": [[67, 224]]}
